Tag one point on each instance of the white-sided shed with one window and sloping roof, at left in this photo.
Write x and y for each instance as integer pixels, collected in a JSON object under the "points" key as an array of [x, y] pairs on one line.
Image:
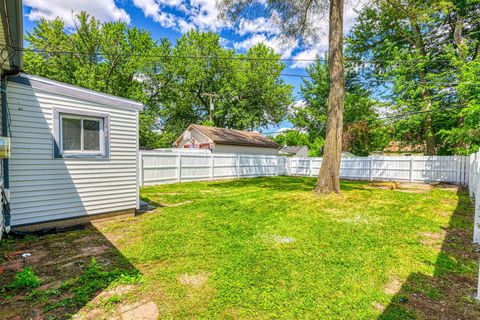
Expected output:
{"points": [[74, 152]]}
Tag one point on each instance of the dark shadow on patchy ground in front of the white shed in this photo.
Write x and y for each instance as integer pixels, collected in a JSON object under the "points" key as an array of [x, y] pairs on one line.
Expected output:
{"points": [[76, 269]]}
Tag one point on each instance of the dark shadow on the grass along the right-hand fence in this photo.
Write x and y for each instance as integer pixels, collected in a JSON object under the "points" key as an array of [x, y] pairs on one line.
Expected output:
{"points": [[448, 294]]}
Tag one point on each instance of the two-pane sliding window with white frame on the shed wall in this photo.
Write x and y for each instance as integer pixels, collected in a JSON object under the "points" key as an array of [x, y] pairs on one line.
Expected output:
{"points": [[80, 136]]}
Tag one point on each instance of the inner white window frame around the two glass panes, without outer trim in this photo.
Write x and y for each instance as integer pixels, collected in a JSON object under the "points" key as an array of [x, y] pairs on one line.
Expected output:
{"points": [[82, 151]]}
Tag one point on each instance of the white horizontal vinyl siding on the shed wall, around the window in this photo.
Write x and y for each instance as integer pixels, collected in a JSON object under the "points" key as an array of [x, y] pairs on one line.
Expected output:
{"points": [[44, 188]]}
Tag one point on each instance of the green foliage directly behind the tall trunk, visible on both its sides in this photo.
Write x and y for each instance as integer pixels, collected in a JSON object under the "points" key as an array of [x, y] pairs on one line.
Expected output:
{"points": [[359, 136]]}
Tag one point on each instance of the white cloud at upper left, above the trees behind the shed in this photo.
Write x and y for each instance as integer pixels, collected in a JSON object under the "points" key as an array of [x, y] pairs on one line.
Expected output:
{"points": [[104, 10]]}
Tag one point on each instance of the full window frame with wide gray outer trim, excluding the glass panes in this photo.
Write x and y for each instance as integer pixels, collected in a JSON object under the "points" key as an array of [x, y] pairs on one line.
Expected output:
{"points": [[104, 134]]}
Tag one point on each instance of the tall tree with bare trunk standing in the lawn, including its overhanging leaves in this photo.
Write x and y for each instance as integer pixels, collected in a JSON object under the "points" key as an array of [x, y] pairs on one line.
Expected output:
{"points": [[297, 20]]}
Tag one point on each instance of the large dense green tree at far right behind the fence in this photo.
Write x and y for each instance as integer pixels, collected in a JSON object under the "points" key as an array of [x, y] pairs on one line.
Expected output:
{"points": [[424, 56]]}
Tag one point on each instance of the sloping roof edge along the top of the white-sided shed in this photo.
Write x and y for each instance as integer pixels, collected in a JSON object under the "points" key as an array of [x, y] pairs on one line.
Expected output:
{"points": [[69, 90]]}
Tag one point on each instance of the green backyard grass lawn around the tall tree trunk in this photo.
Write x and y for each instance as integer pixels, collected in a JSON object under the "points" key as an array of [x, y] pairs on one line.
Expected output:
{"points": [[270, 248]]}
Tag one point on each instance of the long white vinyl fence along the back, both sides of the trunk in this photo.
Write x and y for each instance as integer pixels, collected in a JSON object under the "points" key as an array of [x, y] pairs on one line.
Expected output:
{"points": [[165, 167]]}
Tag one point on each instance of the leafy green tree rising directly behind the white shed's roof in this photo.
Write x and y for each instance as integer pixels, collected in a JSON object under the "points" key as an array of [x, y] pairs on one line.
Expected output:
{"points": [[106, 57]]}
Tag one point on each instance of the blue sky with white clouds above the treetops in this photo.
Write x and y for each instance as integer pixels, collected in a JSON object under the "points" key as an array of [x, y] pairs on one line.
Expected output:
{"points": [[170, 18]]}
